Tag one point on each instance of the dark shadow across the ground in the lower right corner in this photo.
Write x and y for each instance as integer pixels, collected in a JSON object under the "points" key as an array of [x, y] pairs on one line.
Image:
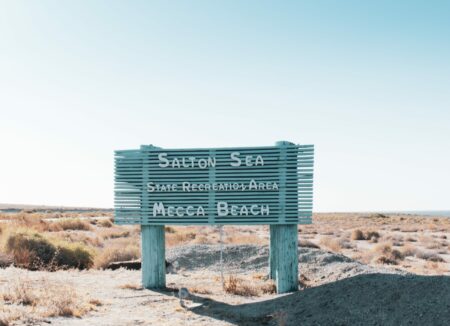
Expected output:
{"points": [[370, 299]]}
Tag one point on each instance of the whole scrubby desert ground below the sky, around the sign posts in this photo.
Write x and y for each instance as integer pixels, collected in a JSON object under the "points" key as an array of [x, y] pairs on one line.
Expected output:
{"points": [[355, 269]]}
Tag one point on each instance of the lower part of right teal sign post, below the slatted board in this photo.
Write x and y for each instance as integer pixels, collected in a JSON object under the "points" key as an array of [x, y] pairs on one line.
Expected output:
{"points": [[284, 257]]}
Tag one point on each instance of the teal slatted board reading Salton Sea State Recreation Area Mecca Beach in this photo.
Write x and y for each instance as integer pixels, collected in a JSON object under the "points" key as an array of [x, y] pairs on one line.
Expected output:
{"points": [[242, 185]]}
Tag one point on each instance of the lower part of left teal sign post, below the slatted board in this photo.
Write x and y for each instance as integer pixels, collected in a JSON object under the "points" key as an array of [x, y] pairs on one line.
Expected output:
{"points": [[153, 256]]}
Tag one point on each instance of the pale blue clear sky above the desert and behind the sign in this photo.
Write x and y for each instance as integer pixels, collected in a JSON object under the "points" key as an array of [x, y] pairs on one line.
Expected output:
{"points": [[367, 82]]}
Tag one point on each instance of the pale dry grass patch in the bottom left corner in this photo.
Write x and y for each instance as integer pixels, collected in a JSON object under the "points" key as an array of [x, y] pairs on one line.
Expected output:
{"points": [[31, 301]]}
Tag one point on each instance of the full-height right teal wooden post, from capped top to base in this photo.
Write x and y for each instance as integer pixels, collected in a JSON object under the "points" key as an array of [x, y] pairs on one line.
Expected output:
{"points": [[283, 258]]}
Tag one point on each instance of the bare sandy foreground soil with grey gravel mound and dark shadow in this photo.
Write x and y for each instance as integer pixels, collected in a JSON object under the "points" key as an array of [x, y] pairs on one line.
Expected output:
{"points": [[340, 291]]}
